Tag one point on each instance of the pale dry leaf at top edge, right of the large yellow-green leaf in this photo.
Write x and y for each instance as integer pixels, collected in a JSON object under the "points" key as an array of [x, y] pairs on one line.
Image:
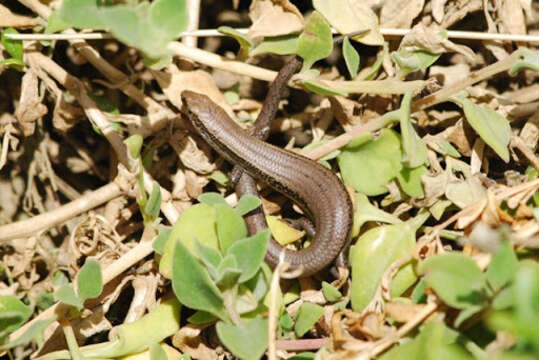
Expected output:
{"points": [[400, 13]]}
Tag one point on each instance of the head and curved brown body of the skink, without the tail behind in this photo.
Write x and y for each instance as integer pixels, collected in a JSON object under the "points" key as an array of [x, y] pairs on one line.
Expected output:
{"points": [[313, 187]]}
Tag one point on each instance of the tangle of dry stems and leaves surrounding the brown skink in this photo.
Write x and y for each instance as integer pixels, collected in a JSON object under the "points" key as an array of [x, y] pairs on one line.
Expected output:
{"points": [[445, 240]]}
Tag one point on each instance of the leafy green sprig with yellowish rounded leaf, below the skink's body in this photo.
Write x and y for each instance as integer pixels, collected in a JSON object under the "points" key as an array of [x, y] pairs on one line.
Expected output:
{"points": [[217, 269]]}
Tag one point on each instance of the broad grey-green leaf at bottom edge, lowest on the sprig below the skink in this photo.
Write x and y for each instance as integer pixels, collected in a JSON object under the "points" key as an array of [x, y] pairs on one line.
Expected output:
{"points": [[247, 341]]}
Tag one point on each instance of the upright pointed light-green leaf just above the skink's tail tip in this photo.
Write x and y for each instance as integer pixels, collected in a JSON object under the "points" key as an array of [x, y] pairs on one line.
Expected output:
{"points": [[315, 42]]}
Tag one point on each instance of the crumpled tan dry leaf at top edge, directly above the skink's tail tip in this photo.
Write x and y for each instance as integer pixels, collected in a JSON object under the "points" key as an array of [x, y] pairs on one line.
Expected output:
{"points": [[274, 18]]}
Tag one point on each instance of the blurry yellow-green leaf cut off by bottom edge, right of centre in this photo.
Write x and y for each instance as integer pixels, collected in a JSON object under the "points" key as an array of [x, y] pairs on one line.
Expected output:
{"points": [[435, 342]]}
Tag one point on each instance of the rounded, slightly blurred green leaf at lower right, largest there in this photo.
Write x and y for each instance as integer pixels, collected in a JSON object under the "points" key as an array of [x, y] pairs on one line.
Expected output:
{"points": [[456, 279]]}
